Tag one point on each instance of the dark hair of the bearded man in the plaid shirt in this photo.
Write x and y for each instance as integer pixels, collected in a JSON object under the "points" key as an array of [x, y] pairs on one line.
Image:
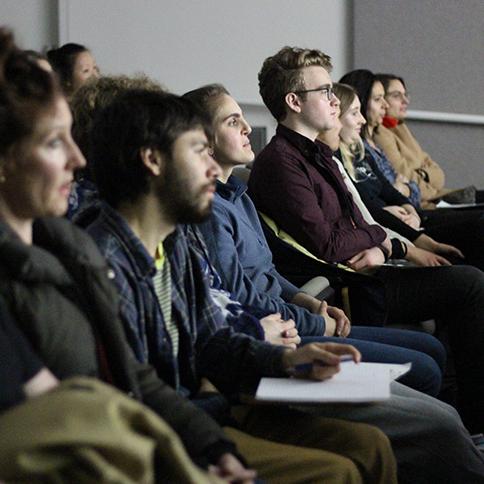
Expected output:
{"points": [[135, 120]]}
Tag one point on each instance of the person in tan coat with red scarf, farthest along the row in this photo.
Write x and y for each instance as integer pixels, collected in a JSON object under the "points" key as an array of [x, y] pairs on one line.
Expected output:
{"points": [[403, 150]]}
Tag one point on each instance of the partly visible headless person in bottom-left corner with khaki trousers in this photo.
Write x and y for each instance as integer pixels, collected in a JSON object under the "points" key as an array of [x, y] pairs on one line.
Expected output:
{"points": [[95, 440]]}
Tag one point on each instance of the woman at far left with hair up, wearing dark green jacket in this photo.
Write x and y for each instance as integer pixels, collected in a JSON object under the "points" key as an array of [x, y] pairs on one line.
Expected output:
{"points": [[54, 280]]}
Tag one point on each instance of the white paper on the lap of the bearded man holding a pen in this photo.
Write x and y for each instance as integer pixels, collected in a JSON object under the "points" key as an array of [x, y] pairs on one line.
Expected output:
{"points": [[365, 382]]}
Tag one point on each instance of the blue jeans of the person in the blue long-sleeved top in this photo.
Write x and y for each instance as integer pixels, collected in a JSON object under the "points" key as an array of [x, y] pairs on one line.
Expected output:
{"points": [[388, 345]]}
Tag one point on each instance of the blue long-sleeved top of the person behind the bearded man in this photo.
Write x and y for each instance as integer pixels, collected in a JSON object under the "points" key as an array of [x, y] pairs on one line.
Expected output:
{"points": [[240, 253]]}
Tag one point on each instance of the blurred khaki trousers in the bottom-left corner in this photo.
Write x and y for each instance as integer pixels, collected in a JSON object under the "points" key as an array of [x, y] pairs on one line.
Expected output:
{"points": [[87, 432]]}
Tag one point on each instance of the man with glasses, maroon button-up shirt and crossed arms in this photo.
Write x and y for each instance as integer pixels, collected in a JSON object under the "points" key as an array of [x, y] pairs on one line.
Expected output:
{"points": [[295, 182]]}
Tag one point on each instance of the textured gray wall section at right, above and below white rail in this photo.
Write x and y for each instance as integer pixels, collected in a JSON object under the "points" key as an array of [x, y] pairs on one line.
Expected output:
{"points": [[437, 46]]}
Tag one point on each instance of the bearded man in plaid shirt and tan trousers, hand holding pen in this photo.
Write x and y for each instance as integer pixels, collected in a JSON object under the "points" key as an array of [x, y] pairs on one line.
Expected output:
{"points": [[164, 176]]}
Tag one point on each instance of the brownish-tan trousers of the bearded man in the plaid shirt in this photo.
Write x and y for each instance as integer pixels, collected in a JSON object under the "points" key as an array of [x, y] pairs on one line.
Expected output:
{"points": [[317, 449]]}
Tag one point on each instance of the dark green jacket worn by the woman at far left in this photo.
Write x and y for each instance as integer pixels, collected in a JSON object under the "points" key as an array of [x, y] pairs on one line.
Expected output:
{"points": [[59, 291]]}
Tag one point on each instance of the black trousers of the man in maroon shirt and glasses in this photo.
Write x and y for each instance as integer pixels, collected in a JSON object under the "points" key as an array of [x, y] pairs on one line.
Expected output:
{"points": [[454, 297]]}
